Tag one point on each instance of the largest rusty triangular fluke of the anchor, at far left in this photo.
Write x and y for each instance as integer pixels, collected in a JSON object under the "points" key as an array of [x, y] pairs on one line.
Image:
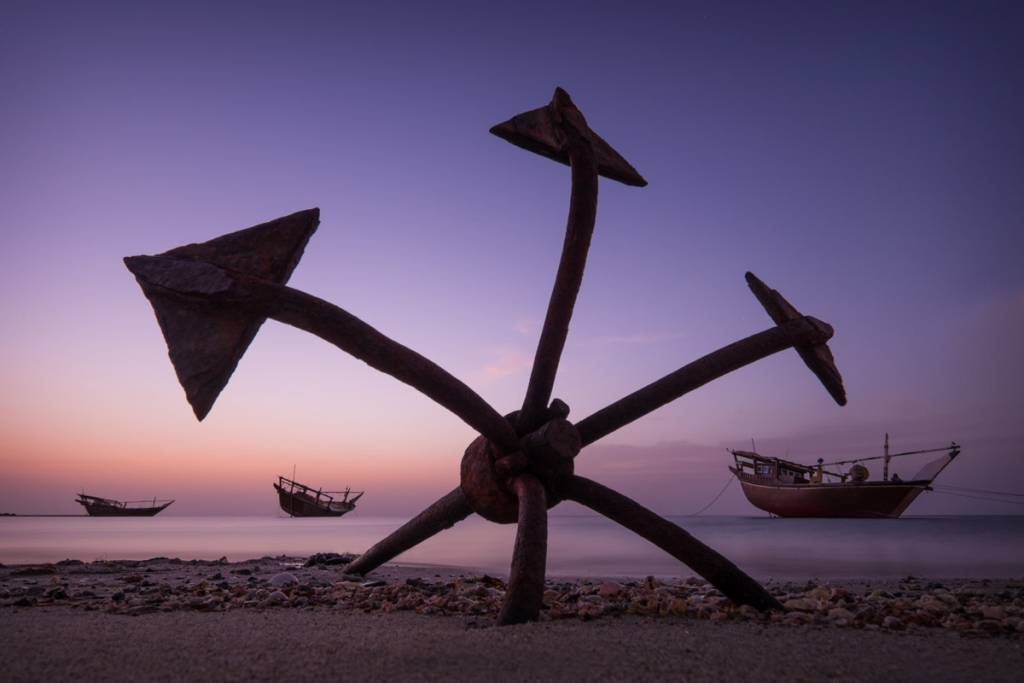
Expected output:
{"points": [[205, 344]]}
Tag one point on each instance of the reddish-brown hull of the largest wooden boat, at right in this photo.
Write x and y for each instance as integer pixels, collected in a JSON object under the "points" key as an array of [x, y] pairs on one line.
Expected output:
{"points": [[858, 500]]}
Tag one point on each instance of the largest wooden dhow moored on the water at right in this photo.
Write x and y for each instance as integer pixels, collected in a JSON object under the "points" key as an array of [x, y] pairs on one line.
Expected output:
{"points": [[785, 489]]}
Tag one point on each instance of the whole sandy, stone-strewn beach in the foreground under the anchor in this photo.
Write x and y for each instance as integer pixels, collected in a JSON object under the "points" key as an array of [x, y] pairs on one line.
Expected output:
{"points": [[63, 624]]}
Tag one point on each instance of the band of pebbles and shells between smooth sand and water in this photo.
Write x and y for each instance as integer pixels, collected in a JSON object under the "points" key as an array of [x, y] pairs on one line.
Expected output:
{"points": [[979, 608]]}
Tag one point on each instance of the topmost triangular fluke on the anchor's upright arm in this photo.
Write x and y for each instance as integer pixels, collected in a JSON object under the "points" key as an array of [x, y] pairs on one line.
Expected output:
{"points": [[535, 131]]}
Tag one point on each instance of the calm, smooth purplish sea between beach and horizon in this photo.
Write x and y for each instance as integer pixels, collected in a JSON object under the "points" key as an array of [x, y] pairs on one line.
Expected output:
{"points": [[983, 547]]}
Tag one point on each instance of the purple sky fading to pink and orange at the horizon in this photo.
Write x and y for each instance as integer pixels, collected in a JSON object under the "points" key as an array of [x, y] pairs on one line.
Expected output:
{"points": [[865, 159]]}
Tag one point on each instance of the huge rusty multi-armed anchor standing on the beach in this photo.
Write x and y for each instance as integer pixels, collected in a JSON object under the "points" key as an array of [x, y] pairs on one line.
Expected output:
{"points": [[210, 301]]}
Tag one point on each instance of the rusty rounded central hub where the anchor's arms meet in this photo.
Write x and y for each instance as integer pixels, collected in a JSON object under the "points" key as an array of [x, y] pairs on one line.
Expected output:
{"points": [[546, 454]]}
